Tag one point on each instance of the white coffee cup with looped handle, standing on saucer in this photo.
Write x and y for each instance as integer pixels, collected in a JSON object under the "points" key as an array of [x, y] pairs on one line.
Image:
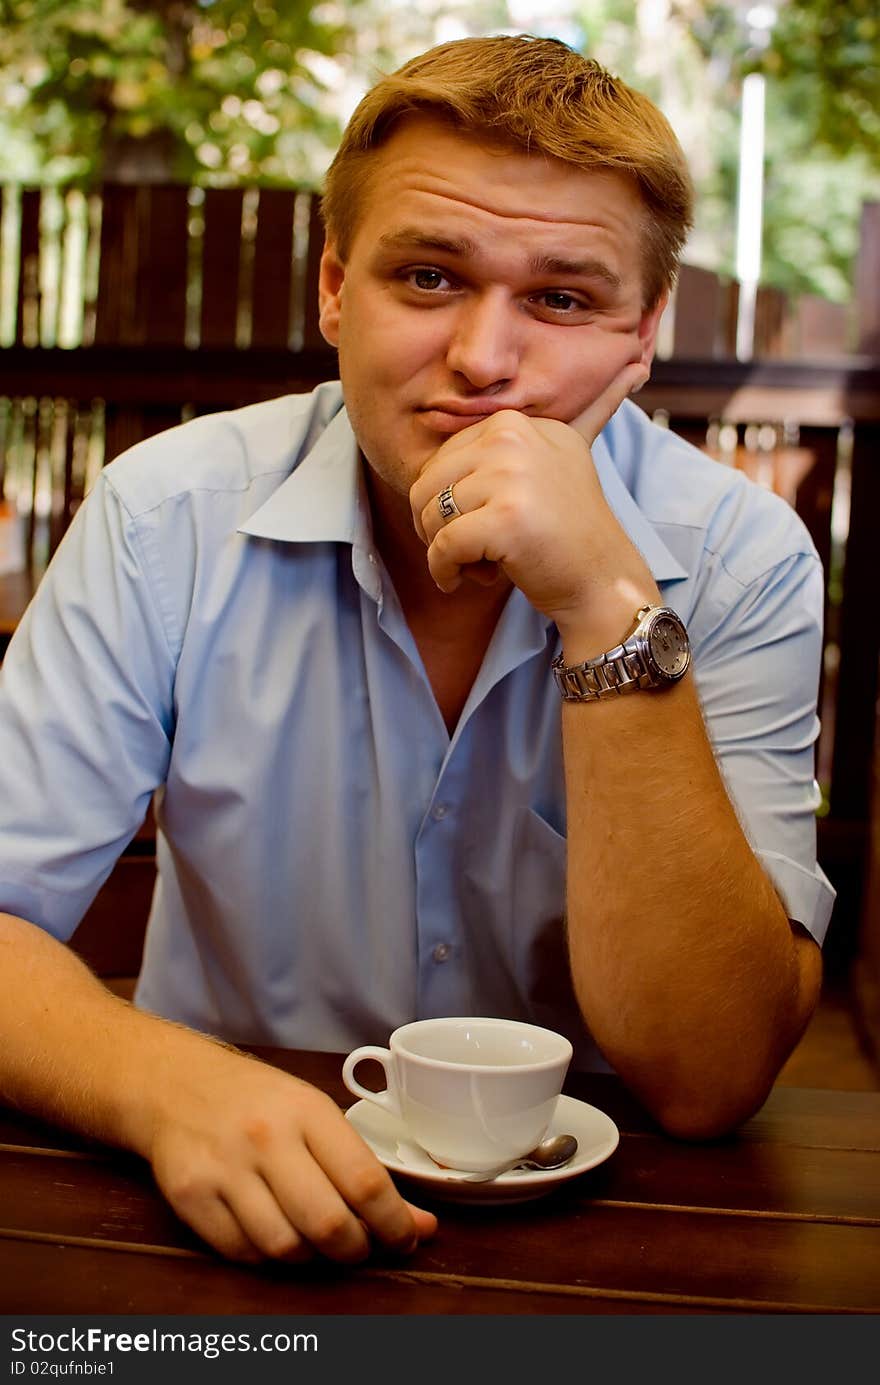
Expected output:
{"points": [[472, 1092]]}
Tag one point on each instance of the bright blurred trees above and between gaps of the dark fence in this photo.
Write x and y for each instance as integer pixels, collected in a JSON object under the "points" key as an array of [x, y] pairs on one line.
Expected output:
{"points": [[775, 105]]}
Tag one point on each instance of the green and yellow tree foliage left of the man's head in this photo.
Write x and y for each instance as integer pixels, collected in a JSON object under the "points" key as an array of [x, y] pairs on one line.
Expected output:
{"points": [[215, 91]]}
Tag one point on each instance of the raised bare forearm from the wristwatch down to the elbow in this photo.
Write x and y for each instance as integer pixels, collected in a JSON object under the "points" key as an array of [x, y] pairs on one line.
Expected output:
{"points": [[685, 965]]}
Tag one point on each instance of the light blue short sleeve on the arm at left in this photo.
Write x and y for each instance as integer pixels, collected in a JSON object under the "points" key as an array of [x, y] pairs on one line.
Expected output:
{"points": [[87, 718]]}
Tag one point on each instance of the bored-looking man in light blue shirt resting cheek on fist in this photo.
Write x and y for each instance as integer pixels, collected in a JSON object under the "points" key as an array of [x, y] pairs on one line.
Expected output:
{"points": [[332, 632]]}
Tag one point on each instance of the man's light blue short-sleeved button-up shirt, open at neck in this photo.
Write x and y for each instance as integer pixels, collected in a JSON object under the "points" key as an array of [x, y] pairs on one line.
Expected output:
{"points": [[217, 627]]}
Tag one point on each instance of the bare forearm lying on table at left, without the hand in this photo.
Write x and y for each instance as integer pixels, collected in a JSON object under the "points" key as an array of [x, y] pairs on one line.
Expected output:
{"points": [[73, 1052]]}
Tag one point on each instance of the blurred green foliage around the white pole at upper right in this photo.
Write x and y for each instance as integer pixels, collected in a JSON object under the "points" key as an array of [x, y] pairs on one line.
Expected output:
{"points": [[822, 157]]}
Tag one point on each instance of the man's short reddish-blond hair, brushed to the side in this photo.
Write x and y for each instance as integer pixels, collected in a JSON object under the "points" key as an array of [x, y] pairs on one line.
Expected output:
{"points": [[538, 96]]}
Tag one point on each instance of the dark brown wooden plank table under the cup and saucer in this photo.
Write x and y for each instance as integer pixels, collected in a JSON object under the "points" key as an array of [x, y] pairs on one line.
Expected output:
{"points": [[782, 1219]]}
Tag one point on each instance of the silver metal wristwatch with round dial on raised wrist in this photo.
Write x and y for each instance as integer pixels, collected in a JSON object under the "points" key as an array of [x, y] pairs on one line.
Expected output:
{"points": [[656, 654]]}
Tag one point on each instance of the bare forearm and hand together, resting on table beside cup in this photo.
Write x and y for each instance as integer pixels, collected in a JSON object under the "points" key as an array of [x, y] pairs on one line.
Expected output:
{"points": [[258, 1163]]}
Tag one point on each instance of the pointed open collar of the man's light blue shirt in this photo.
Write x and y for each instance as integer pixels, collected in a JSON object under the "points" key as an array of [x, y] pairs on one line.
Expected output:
{"points": [[325, 501]]}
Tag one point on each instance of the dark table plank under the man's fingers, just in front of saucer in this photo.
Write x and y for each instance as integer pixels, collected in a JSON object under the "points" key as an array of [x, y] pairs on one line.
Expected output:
{"points": [[566, 1242]]}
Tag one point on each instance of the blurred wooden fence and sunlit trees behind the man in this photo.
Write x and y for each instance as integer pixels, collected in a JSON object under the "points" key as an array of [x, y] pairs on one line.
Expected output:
{"points": [[160, 238]]}
